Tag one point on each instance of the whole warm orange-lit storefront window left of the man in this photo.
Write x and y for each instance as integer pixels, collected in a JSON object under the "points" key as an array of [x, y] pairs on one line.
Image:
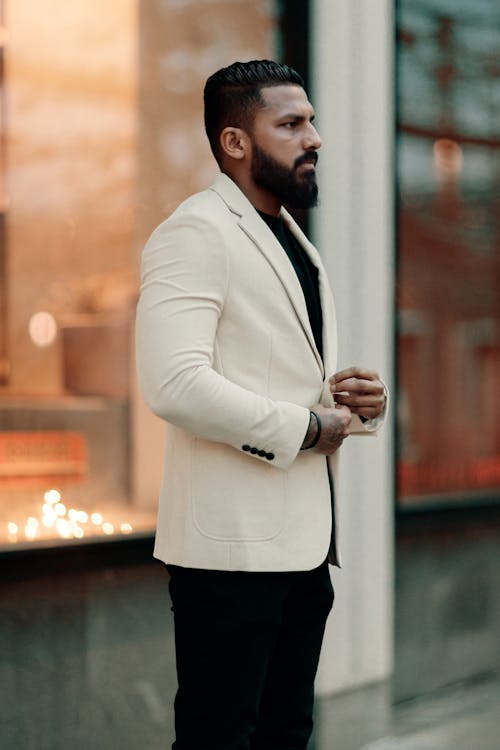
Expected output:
{"points": [[101, 137]]}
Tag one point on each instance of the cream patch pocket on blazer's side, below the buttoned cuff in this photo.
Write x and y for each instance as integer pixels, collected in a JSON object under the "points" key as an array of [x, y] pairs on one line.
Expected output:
{"points": [[236, 497]]}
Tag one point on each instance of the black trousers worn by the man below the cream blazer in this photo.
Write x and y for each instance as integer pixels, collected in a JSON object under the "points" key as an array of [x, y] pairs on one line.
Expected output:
{"points": [[247, 650]]}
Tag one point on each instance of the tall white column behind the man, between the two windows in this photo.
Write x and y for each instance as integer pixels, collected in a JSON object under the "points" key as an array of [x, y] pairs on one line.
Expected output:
{"points": [[352, 48]]}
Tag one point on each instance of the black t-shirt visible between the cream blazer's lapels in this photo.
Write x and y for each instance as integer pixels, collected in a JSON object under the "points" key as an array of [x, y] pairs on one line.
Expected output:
{"points": [[306, 271]]}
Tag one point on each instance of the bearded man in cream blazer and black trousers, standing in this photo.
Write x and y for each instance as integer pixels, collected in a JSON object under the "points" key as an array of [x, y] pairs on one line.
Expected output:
{"points": [[237, 352]]}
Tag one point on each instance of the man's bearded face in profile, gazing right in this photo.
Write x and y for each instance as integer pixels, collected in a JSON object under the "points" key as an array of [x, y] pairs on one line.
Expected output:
{"points": [[284, 145]]}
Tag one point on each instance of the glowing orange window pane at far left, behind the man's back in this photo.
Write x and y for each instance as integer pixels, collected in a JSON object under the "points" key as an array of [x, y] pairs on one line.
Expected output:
{"points": [[68, 273]]}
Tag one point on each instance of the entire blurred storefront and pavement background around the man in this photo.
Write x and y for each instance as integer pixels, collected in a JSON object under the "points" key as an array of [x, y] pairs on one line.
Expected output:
{"points": [[101, 136]]}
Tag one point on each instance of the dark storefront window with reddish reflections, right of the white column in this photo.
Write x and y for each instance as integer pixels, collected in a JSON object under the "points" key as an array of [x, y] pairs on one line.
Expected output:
{"points": [[448, 166]]}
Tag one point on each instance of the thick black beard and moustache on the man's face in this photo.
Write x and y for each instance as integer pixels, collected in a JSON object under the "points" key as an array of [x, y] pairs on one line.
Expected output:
{"points": [[291, 189]]}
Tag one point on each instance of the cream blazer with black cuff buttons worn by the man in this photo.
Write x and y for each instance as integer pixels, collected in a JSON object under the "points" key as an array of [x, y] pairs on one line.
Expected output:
{"points": [[226, 356]]}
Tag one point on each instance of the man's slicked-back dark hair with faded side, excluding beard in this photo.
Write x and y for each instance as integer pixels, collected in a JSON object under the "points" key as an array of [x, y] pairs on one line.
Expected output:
{"points": [[233, 94]]}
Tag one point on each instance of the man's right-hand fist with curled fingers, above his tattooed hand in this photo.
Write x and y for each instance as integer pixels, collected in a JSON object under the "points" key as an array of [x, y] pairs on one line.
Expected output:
{"points": [[360, 390]]}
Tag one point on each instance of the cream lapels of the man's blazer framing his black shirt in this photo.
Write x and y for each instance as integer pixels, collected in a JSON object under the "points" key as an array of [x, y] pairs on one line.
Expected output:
{"points": [[258, 231]]}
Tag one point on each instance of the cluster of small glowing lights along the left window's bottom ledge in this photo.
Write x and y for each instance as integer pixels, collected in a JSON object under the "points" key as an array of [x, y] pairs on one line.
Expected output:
{"points": [[56, 518]]}
